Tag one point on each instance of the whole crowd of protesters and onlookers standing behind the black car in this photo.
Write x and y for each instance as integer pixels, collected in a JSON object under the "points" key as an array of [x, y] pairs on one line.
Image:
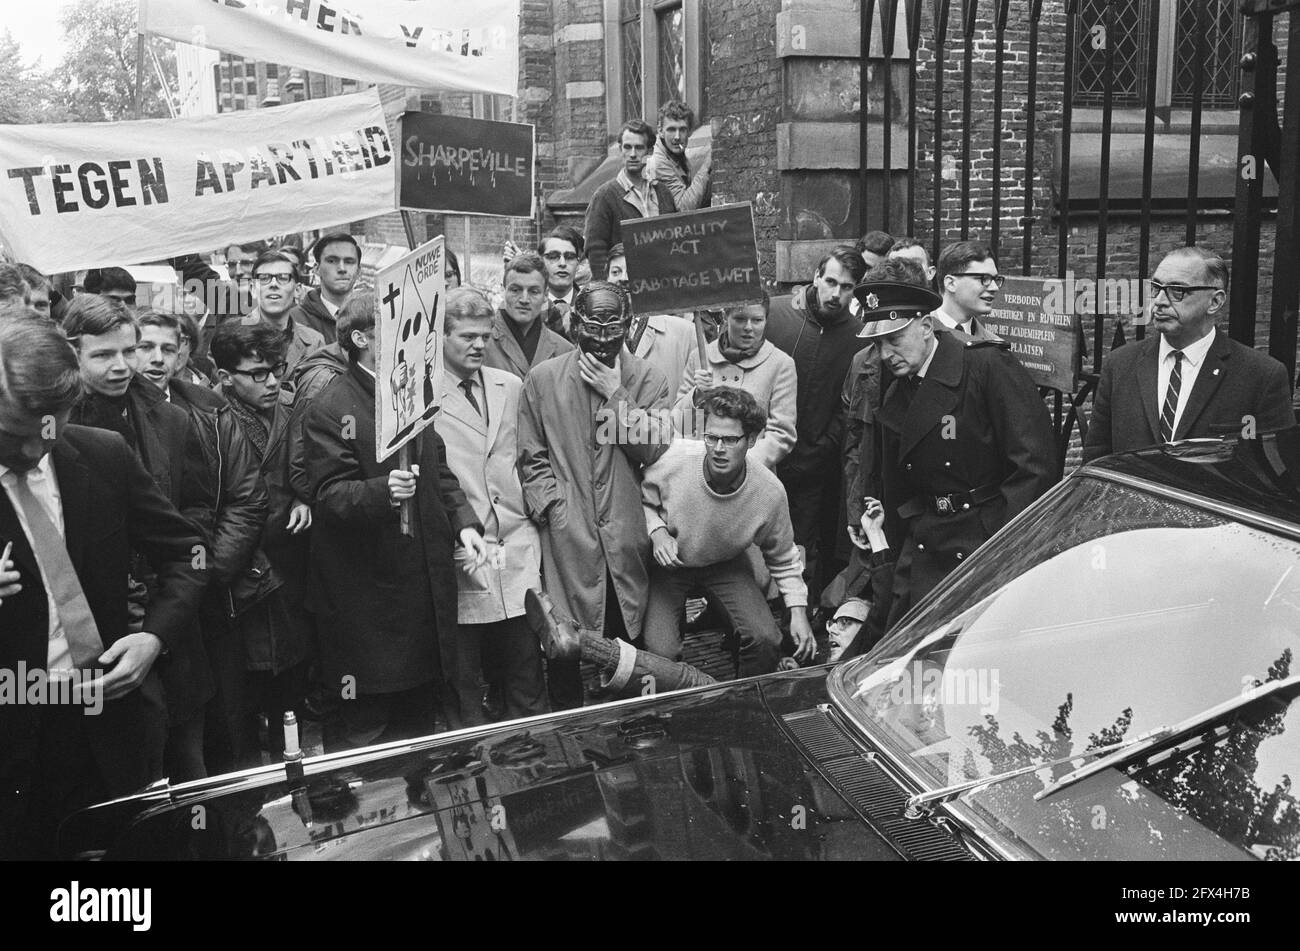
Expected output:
{"points": [[193, 503]]}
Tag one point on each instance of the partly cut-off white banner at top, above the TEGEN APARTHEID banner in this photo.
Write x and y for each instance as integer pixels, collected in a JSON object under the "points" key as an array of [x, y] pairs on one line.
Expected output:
{"points": [[436, 45]]}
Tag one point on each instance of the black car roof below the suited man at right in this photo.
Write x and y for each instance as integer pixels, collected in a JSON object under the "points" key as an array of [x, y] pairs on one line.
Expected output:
{"points": [[1259, 479]]}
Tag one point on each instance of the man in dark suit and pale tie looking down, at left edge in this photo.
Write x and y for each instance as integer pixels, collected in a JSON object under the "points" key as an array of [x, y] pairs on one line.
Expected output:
{"points": [[75, 505]]}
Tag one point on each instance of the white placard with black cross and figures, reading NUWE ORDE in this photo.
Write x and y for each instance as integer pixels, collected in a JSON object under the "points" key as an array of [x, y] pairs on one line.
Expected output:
{"points": [[410, 298]]}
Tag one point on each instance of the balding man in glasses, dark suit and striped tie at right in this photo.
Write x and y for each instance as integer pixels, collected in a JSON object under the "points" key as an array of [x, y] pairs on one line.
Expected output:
{"points": [[1190, 380]]}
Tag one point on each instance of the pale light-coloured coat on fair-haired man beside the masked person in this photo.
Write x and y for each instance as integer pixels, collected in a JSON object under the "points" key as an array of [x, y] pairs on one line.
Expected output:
{"points": [[483, 455]]}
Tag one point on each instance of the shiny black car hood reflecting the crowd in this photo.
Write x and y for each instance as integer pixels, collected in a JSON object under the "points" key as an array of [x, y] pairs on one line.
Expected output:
{"points": [[709, 774]]}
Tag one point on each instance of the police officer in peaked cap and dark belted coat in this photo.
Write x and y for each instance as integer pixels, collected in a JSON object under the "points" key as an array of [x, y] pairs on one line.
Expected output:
{"points": [[965, 442]]}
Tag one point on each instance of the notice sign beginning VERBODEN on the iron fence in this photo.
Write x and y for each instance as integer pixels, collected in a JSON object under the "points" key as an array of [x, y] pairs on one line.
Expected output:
{"points": [[1043, 338]]}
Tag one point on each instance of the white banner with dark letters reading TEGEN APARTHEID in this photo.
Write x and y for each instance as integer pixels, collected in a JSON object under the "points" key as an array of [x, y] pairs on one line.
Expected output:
{"points": [[94, 194]]}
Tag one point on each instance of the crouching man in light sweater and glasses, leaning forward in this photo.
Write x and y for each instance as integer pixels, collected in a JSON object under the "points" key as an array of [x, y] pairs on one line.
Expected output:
{"points": [[704, 507]]}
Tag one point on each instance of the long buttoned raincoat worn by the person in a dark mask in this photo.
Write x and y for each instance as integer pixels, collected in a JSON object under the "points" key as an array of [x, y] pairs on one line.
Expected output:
{"points": [[574, 461]]}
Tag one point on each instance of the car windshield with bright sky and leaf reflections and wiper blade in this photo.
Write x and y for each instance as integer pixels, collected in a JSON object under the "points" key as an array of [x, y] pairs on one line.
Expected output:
{"points": [[1108, 615]]}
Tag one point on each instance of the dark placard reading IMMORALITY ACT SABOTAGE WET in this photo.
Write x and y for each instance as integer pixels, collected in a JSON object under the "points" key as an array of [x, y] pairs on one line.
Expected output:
{"points": [[694, 260]]}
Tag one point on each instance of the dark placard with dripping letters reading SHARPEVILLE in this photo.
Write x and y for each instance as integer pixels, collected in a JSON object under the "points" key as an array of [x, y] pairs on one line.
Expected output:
{"points": [[466, 167]]}
